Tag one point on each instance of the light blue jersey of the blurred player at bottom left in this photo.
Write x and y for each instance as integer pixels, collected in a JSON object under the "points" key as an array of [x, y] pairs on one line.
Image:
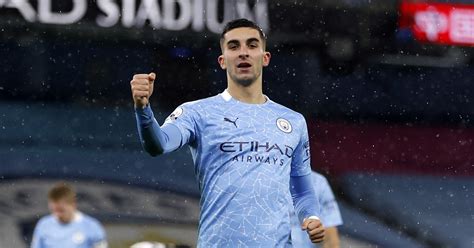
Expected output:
{"points": [[82, 232]]}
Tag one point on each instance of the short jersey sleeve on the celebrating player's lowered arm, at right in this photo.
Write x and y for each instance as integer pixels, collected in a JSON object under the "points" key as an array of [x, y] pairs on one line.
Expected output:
{"points": [[301, 159]]}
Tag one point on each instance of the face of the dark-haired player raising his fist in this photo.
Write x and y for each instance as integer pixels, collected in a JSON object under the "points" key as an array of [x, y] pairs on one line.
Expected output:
{"points": [[243, 55]]}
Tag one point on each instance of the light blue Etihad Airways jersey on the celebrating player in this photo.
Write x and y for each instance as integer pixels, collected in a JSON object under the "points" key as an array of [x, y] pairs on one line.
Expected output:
{"points": [[244, 155]]}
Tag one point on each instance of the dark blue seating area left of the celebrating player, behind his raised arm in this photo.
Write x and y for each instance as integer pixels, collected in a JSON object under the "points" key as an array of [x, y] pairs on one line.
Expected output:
{"points": [[96, 143]]}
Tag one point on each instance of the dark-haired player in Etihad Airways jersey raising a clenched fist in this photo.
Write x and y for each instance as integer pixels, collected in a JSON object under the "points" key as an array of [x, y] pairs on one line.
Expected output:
{"points": [[249, 152]]}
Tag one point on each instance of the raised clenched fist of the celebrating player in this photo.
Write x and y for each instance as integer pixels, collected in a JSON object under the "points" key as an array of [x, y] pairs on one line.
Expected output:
{"points": [[142, 88]]}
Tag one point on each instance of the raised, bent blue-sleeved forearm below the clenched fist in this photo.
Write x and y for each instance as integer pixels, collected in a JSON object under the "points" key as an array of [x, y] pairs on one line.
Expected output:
{"points": [[156, 140]]}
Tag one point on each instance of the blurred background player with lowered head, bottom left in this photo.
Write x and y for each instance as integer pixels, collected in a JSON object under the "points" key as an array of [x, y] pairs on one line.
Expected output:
{"points": [[66, 227]]}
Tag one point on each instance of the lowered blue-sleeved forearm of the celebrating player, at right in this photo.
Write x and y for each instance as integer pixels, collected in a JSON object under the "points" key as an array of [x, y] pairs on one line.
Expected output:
{"points": [[304, 197]]}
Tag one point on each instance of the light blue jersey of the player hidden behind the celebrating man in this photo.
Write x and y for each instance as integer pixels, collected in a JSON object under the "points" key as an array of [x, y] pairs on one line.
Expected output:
{"points": [[330, 215]]}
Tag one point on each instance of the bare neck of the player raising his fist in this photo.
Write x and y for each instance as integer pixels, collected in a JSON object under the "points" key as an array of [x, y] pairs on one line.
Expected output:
{"points": [[251, 94]]}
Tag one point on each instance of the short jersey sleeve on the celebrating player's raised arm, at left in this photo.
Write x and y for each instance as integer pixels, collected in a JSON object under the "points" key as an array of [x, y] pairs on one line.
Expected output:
{"points": [[184, 117]]}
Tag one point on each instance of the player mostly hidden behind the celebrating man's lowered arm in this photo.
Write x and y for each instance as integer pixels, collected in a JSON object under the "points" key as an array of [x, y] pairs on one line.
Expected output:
{"points": [[330, 217]]}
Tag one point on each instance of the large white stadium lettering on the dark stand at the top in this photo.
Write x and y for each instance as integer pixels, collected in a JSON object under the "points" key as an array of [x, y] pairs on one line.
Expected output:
{"points": [[173, 15]]}
